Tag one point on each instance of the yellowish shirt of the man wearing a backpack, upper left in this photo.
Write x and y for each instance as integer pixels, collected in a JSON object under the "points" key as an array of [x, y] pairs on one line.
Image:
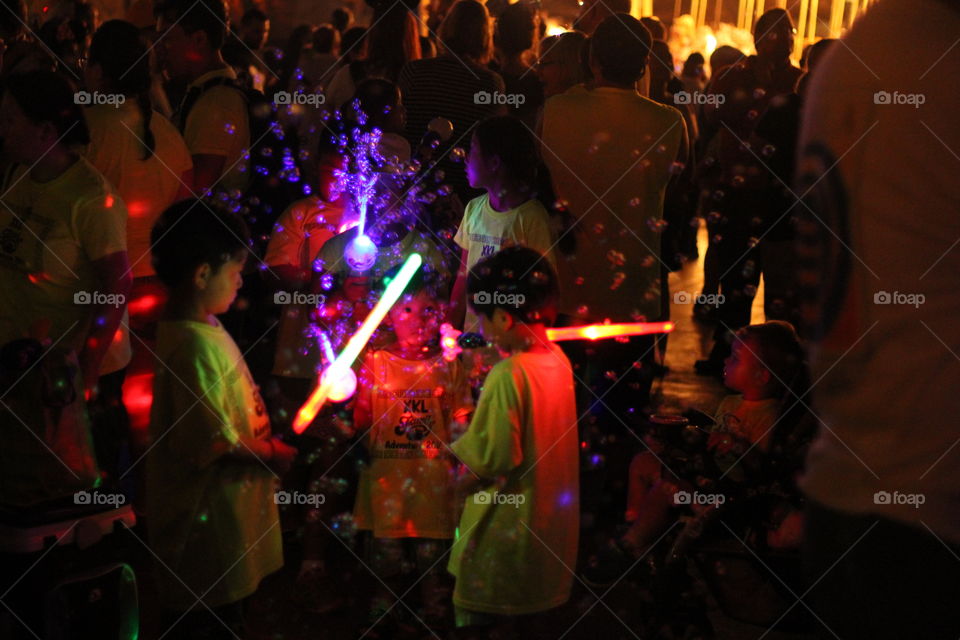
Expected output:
{"points": [[218, 124]]}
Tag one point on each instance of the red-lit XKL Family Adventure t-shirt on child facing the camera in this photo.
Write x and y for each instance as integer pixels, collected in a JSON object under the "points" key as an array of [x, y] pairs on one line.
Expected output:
{"points": [[407, 492]]}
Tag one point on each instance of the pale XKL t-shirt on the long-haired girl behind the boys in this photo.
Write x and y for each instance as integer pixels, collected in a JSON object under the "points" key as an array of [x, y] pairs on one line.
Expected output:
{"points": [[485, 231]]}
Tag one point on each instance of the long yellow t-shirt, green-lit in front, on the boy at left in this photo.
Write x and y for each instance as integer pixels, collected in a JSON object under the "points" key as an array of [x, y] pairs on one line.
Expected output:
{"points": [[213, 520]]}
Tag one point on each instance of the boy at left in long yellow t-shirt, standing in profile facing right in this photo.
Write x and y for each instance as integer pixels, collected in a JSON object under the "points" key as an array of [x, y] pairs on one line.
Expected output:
{"points": [[213, 465]]}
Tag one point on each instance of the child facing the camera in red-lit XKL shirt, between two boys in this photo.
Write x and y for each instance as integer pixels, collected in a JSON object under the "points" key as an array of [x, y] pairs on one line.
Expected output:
{"points": [[411, 403]]}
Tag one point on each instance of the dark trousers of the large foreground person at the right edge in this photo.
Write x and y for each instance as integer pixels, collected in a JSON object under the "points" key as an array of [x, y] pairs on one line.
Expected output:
{"points": [[874, 579]]}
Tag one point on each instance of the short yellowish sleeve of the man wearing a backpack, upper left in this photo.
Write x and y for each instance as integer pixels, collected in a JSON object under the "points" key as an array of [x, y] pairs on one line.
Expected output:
{"points": [[215, 122]]}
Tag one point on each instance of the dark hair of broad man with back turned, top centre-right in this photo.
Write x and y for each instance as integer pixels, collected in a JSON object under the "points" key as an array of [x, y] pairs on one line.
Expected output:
{"points": [[621, 46]]}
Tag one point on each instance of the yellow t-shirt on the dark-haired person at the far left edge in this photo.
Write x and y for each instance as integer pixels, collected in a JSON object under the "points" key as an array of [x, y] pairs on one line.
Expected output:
{"points": [[50, 235]]}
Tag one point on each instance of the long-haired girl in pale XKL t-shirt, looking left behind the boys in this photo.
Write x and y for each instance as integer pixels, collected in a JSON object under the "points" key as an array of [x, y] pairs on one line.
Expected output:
{"points": [[502, 161]]}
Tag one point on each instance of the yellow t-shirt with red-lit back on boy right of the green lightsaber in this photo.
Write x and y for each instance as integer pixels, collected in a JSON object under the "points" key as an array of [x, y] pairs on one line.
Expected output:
{"points": [[518, 538]]}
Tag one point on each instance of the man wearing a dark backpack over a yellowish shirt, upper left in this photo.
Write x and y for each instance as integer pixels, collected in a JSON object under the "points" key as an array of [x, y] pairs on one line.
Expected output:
{"points": [[213, 115]]}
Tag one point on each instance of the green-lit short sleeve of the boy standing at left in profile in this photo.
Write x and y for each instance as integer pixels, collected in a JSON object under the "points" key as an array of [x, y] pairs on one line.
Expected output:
{"points": [[201, 430]]}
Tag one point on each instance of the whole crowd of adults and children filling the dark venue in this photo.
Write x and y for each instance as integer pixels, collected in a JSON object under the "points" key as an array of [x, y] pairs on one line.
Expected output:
{"points": [[180, 200]]}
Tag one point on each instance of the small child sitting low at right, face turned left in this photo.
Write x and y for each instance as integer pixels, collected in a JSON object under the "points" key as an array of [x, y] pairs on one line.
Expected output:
{"points": [[762, 419]]}
